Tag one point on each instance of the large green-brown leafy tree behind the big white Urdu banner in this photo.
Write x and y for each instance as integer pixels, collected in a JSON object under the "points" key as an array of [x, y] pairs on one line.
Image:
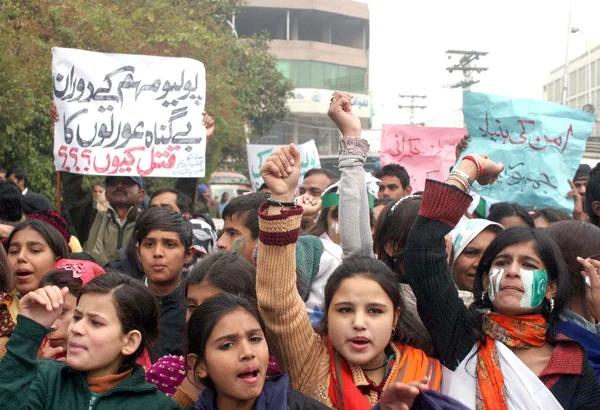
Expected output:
{"points": [[244, 91]]}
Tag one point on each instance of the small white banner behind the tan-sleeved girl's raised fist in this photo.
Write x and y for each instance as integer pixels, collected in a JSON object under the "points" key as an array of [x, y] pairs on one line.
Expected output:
{"points": [[259, 154]]}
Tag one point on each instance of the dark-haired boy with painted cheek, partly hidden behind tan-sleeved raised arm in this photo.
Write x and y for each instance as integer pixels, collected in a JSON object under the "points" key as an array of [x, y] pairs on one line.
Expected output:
{"points": [[240, 230]]}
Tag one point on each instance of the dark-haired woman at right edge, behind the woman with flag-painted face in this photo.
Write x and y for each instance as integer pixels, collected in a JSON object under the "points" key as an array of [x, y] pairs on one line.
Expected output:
{"points": [[581, 316]]}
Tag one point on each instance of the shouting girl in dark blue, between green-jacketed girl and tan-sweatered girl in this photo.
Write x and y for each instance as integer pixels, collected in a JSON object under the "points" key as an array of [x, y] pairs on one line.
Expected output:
{"points": [[229, 357]]}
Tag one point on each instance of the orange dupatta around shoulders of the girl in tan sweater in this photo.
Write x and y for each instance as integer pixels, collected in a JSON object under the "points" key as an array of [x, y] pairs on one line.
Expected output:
{"points": [[411, 363]]}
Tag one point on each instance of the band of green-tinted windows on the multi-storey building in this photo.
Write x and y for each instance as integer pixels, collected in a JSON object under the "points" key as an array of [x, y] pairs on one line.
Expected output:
{"points": [[314, 74]]}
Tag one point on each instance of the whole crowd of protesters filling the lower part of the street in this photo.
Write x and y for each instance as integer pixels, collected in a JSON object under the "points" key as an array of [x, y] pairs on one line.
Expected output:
{"points": [[350, 292]]}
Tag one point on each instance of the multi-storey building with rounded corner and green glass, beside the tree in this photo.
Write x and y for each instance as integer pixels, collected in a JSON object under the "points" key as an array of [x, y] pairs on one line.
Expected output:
{"points": [[320, 46]]}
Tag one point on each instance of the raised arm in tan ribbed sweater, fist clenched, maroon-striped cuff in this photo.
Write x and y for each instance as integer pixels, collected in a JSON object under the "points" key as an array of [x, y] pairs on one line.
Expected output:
{"points": [[296, 344]]}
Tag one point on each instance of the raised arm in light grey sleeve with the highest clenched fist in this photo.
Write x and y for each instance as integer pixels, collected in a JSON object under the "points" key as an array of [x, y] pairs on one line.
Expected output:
{"points": [[354, 215]]}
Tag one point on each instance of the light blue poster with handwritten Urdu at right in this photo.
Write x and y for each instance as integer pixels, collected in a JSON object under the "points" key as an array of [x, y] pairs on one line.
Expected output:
{"points": [[540, 144]]}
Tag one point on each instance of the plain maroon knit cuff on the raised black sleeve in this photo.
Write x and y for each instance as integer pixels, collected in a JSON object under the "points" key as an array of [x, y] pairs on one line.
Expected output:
{"points": [[444, 203]]}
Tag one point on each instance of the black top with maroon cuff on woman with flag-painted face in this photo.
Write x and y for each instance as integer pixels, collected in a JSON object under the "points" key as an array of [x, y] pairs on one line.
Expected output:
{"points": [[443, 313]]}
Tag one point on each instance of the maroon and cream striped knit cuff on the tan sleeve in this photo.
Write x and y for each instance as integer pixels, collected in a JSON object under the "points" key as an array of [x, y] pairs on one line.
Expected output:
{"points": [[281, 229]]}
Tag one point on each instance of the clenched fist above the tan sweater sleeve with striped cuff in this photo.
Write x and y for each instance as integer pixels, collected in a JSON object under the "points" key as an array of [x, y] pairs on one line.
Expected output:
{"points": [[281, 173]]}
